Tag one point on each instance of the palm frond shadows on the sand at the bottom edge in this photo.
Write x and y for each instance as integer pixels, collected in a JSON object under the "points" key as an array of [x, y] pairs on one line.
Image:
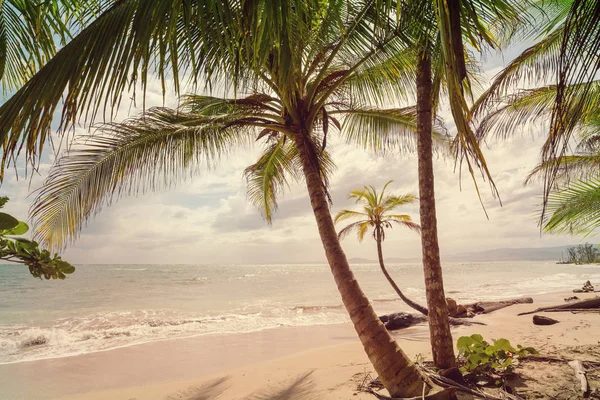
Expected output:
{"points": [[300, 388]]}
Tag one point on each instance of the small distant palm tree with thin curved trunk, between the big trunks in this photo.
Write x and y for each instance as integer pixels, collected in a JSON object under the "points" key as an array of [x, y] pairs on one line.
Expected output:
{"points": [[378, 214]]}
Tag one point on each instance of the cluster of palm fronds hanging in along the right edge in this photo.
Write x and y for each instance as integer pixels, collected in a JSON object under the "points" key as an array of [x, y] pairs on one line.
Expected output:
{"points": [[562, 66]]}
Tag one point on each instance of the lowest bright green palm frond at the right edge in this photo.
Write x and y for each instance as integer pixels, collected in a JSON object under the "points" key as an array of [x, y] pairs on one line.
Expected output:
{"points": [[575, 210]]}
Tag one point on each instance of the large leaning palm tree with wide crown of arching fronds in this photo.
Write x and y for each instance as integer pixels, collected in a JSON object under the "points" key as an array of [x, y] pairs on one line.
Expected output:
{"points": [[292, 73]]}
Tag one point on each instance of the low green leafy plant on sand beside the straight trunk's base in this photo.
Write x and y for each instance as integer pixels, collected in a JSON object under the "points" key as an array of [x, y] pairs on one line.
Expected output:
{"points": [[478, 356]]}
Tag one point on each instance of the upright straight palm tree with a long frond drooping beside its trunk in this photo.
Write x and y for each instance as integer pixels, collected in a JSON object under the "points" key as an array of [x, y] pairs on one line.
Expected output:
{"points": [[443, 66]]}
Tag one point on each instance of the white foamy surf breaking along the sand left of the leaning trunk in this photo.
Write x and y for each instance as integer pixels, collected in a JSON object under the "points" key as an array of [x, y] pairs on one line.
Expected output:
{"points": [[106, 331]]}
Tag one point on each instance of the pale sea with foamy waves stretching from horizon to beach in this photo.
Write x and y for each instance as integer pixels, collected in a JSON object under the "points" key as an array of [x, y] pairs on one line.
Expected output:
{"points": [[102, 307]]}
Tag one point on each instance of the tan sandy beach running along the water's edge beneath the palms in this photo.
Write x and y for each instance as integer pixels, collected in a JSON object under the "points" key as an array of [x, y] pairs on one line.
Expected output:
{"points": [[157, 370]]}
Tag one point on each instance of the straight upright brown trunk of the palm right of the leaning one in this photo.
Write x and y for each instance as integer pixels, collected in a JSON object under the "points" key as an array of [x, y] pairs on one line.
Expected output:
{"points": [[441, 338]]}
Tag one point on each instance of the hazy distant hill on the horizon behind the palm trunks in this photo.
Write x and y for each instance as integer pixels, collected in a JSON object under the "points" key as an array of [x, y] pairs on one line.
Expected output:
{"points": [[505, 254]]}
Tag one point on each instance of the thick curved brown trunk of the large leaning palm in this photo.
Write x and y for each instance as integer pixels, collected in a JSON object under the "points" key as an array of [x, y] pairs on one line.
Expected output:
{"points": [[397, 373]]}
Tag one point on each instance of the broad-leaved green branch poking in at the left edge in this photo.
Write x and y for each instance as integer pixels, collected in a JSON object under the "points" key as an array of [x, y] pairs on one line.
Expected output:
{"points": [[41, 263]]}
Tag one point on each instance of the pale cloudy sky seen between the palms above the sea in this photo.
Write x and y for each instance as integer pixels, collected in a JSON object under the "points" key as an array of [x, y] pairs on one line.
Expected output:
{"points": [[207, 219]]}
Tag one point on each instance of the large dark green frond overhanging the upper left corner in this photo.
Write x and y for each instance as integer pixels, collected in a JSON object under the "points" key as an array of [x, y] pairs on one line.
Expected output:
{"points": [[127, 42]]}
